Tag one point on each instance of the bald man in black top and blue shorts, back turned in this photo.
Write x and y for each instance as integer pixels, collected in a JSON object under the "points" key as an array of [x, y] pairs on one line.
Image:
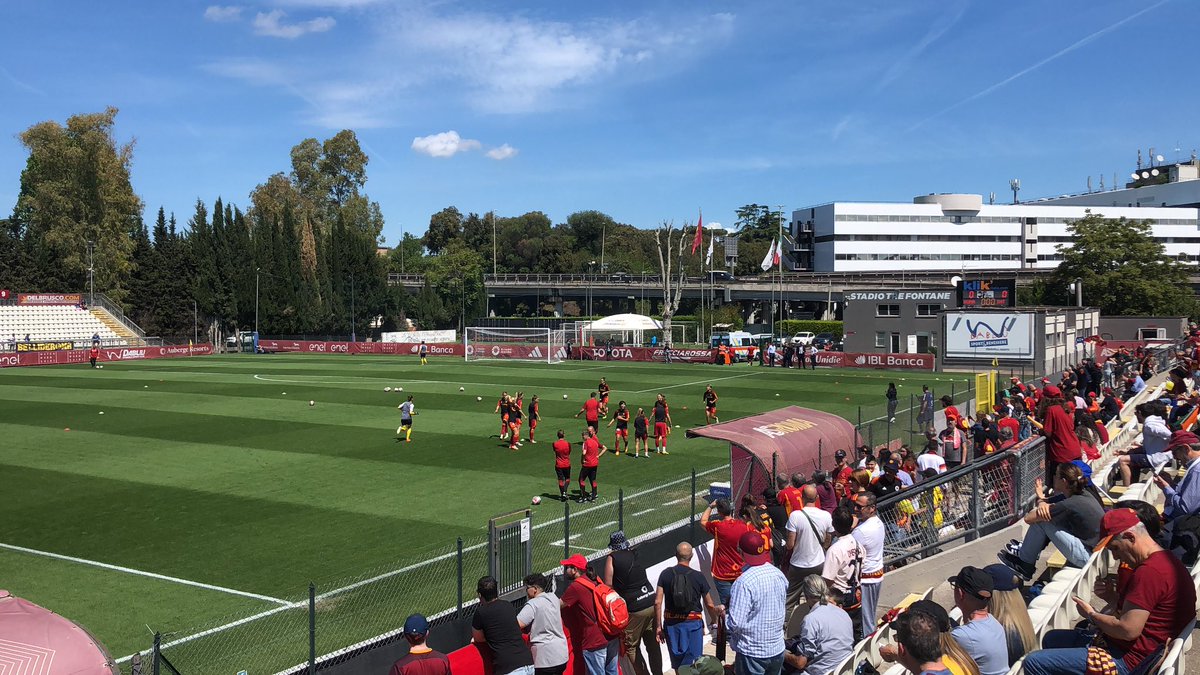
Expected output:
{"points": [[680, 602]]}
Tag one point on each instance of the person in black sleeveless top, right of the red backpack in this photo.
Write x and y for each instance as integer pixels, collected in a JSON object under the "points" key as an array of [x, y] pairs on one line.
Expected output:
{"points": [[627, 575]]}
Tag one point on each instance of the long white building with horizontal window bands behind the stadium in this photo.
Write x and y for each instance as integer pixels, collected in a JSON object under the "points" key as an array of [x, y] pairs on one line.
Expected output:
{"points": [[959, 232]]}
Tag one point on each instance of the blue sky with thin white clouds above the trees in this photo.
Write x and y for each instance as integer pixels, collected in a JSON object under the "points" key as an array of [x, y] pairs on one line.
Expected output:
{"points": [[647, 111]]}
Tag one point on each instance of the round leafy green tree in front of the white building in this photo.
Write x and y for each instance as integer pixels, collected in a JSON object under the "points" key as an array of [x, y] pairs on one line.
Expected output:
{"points": [[1124, 271]]}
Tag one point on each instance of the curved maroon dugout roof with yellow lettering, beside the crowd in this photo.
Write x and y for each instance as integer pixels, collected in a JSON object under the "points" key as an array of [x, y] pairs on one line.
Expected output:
{"points": [[788, 440]]}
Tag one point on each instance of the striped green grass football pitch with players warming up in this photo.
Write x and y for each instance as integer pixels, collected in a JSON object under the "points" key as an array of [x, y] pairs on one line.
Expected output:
{"points": [[218, 473]]}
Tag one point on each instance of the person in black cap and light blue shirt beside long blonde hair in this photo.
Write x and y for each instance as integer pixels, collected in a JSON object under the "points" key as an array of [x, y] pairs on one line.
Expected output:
{"points": [[980, 635]]}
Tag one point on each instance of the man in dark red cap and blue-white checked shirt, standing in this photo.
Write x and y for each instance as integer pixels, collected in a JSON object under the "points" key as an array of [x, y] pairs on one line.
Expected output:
{"points": [[757, 613]]}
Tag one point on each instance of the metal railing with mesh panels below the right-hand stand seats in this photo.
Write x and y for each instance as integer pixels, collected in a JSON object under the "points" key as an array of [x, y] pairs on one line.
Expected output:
{"points": [[964, 504]]}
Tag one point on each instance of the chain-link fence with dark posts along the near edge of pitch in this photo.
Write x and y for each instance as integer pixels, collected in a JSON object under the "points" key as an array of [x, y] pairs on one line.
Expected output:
{"points": [[332, 623]]}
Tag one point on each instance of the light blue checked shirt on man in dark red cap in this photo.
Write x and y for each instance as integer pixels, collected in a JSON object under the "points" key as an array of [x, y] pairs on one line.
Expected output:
{"points": [[755, 617]]}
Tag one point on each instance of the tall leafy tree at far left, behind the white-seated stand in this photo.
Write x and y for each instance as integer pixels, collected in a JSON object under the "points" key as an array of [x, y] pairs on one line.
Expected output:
{"points": [[76, 189]]}
